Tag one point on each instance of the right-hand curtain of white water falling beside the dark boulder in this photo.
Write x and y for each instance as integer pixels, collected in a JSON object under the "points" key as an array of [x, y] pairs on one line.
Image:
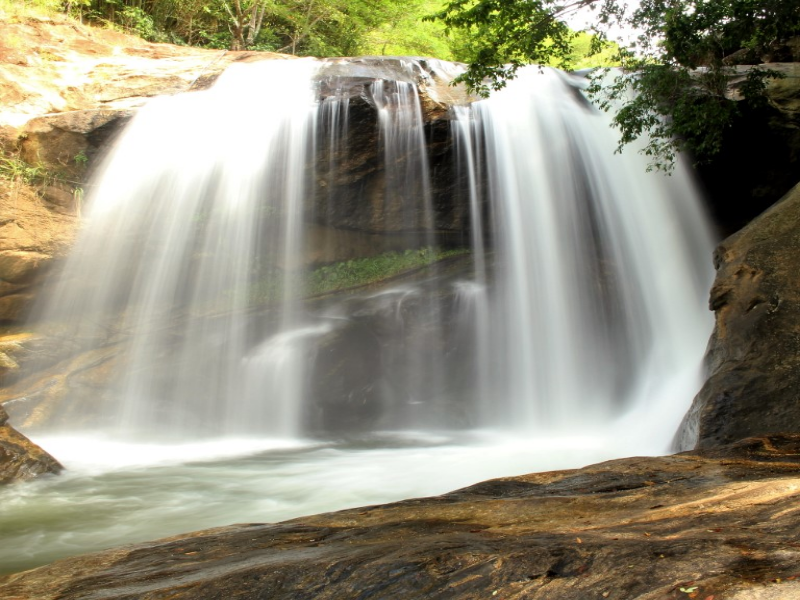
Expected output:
{"points": [[597, 302]]}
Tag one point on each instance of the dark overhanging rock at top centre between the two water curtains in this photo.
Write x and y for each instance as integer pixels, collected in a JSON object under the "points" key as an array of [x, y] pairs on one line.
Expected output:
{"points": [[353, 192]]}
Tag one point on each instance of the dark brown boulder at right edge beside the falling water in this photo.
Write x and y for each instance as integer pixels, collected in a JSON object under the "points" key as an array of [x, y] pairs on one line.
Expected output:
{"points": [[754, 353]]}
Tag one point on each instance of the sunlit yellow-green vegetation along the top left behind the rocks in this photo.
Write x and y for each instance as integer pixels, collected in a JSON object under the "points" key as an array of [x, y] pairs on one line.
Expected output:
{"points": [[301, 27]]}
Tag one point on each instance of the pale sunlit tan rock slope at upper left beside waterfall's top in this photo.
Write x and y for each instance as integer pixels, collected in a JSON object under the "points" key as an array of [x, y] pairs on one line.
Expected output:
{"points": [[57, 65]]}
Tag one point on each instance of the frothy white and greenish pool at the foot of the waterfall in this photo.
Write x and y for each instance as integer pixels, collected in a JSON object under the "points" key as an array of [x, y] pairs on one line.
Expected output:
{"points": [[115, 493]]}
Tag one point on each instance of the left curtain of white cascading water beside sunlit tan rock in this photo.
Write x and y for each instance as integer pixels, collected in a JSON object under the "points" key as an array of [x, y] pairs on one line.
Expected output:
{"points": [[181, 234]]}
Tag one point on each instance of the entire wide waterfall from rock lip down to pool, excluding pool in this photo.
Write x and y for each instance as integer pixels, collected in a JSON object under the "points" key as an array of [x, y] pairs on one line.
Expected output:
{"points": [[576, 303]]}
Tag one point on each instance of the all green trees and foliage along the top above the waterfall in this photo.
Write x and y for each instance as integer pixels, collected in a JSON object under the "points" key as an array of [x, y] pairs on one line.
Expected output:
{"points": [[683, 54]]}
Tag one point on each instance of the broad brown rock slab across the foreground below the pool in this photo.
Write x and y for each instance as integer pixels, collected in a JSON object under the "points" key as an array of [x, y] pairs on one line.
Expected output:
{"points": [[716, 524]]}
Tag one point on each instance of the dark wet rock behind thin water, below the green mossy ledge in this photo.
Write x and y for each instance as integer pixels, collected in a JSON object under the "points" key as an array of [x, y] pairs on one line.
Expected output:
{"points": [[401, 352]]}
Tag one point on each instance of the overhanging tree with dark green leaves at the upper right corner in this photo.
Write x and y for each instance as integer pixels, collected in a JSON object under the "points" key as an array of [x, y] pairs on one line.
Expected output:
{"points": [[675, 105]]}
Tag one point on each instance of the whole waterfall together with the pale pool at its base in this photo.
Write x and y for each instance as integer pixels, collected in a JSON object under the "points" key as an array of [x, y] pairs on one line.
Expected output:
{"points": [[568, 329]]}
